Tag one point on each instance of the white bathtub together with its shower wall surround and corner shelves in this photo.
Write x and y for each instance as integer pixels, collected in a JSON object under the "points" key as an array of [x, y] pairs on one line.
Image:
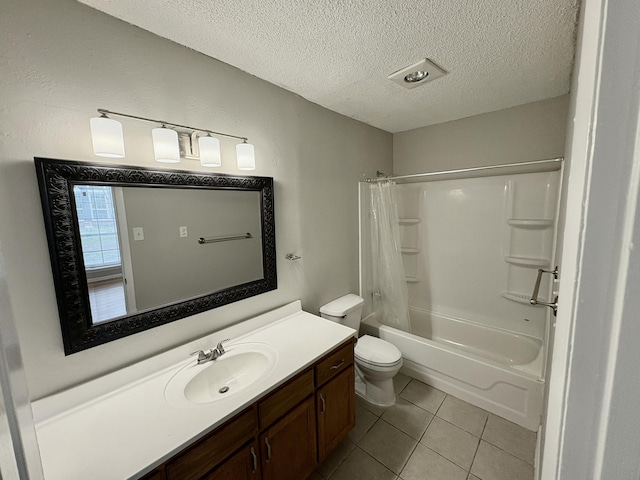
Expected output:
{"points": [[471, 249]]}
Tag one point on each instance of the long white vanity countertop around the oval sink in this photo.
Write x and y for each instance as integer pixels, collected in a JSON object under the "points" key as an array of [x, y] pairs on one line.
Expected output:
{"points": [[127, 432]]}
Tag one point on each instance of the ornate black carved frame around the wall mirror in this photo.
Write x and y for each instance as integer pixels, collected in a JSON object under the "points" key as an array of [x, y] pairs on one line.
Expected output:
{"points": [[56, 179]]}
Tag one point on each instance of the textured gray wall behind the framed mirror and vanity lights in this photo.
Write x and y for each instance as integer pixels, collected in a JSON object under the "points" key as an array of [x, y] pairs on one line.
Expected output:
{"points": [[59, 61]]}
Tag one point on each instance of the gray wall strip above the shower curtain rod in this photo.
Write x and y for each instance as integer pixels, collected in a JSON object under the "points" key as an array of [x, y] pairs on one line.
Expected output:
{"points": [[534, 131]]}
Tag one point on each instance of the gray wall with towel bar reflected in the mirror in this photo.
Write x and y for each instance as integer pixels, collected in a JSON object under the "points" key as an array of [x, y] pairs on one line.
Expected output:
{"points": [[167, 267]]}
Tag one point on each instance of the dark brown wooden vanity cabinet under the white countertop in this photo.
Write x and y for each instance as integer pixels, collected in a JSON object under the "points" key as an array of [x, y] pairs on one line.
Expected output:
{"points": [[280, 437]]}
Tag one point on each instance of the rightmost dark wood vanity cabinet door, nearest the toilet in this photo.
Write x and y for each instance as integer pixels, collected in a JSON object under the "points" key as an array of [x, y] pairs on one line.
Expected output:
{"points": [[336, 411]]}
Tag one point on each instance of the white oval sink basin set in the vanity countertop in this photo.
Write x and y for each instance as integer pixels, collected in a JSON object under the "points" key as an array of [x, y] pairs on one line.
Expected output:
{"points": [[241, 366]]}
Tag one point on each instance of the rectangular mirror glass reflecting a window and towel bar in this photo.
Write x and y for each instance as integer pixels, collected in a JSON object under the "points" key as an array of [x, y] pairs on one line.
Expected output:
{"points": [[147, 247]]}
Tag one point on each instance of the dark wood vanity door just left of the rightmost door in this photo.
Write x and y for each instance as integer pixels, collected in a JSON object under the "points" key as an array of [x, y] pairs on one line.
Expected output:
{"points": [[289, 446]]}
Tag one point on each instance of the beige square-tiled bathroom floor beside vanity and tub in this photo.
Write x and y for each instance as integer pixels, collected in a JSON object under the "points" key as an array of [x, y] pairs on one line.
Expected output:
{"points": [[426, 435]]}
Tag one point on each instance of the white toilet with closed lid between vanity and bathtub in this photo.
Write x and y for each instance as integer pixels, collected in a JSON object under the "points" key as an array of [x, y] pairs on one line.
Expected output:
{"points": [[377, 361]]}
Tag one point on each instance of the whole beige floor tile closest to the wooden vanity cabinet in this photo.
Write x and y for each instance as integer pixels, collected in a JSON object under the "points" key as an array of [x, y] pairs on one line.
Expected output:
{"points": [[388, 445]]}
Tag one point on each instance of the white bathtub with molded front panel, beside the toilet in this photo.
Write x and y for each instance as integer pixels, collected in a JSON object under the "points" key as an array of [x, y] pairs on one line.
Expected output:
{"points": [[494, 369]]}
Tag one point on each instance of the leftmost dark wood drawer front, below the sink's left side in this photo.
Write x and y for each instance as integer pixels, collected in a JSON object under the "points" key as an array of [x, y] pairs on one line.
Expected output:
{"points": [[208, 452]]}
